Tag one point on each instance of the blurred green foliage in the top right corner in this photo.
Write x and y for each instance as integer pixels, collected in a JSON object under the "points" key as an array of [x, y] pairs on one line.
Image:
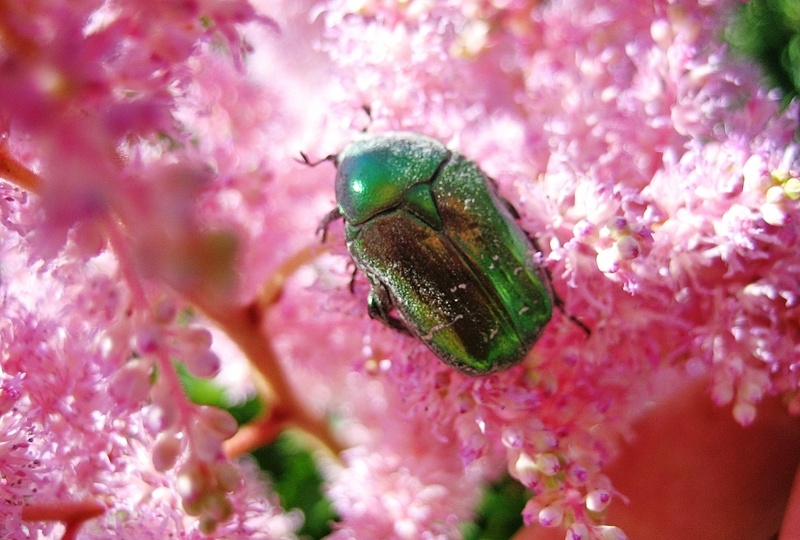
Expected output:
{"points": [[768, 31]]}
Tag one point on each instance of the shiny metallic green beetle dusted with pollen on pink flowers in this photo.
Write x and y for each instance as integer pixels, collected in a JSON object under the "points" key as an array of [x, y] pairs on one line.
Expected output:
{"points": [[440, 246]]}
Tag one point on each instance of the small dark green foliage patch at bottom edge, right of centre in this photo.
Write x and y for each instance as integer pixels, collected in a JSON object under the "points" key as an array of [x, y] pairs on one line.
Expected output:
{"points": [[500, 512]]}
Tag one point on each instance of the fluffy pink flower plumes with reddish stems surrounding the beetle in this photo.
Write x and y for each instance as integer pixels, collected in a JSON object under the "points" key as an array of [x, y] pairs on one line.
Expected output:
{"points": [[152, 203]]}
